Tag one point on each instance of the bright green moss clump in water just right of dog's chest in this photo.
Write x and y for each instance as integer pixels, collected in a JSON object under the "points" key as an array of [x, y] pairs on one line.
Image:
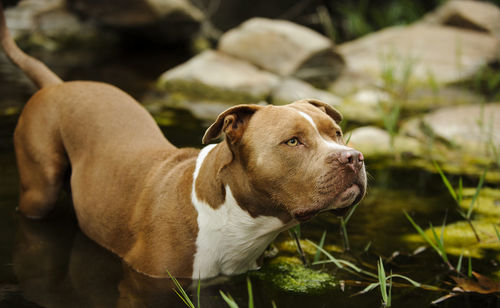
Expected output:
{"points": [[289, 275]]}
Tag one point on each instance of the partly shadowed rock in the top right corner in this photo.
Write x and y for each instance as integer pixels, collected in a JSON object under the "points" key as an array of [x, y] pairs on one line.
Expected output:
{"points": [[473, 15]]}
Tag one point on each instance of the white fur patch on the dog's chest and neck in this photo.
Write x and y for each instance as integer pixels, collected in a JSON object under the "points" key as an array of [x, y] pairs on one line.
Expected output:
{"points": [[229, 240]]}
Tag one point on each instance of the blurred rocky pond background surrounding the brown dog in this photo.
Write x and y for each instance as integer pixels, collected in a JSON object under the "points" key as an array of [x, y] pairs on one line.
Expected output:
{"points": [[418, 83]]}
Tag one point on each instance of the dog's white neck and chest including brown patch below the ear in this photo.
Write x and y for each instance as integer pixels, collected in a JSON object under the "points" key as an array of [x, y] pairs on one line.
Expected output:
{"points": [[229, 240]]}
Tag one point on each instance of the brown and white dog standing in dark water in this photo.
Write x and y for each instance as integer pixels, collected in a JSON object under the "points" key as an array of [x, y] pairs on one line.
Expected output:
{"points": [[194, 213]]}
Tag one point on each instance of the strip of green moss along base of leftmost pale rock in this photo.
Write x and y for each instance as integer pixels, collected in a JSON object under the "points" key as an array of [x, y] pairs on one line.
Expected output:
{"points": [[198, 90]]}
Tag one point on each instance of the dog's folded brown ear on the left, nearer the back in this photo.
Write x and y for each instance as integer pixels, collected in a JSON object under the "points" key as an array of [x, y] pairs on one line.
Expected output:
{"points": [[232, 122]]}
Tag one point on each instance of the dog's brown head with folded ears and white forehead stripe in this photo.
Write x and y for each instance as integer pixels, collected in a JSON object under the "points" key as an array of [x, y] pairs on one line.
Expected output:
{"points": [[293, 159]]}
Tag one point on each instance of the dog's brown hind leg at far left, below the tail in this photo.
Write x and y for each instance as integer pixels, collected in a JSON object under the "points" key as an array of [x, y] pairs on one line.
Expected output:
{"points": [[42, 164]]}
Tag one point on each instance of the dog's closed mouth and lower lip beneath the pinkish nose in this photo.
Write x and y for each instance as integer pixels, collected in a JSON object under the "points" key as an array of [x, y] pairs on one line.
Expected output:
{"points": [[340, 207]]}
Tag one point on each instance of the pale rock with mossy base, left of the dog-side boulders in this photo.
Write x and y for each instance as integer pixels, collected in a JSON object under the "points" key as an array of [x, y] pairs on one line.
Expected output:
{"points": [[212, 75]]}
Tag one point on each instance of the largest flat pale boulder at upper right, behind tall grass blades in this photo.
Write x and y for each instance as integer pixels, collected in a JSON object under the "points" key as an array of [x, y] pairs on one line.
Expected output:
{"points": [[421, 53]]}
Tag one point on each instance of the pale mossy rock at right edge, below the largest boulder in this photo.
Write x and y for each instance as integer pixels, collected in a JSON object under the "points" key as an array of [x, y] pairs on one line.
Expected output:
{"points": [[462, 139]]}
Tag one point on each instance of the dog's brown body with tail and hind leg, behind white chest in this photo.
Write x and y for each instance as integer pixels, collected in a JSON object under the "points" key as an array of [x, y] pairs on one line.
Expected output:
{"points": [[117, 157]]}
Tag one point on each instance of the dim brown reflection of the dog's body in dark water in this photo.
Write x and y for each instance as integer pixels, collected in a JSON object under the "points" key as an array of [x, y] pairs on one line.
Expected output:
{"points": [[58, 266]]}
